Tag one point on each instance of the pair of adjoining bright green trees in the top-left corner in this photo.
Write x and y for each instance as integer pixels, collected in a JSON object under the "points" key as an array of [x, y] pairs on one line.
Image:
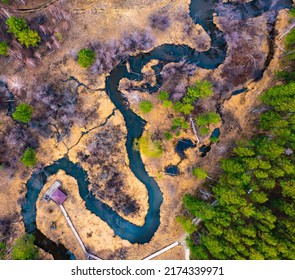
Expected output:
{"points": [[20, 29]]}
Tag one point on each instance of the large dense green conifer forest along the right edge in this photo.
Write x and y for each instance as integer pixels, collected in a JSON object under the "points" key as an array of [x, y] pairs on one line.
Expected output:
{"points": [[254, 216]]}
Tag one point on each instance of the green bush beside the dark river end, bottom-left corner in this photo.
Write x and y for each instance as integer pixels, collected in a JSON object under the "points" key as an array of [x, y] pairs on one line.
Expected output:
{"points": [[24, 248]]}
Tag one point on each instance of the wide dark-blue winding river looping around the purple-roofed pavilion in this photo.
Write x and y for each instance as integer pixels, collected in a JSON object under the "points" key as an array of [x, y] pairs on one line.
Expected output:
{"points": [[202, 12]]}
